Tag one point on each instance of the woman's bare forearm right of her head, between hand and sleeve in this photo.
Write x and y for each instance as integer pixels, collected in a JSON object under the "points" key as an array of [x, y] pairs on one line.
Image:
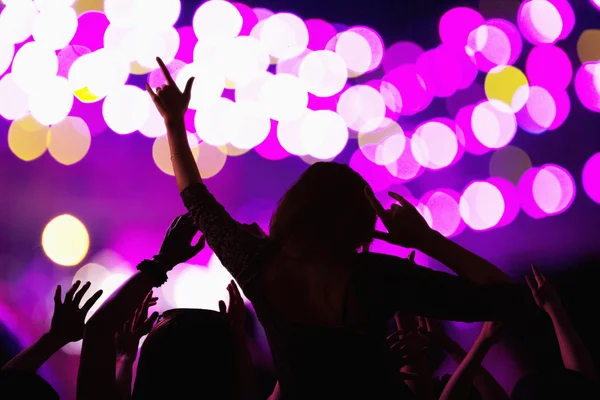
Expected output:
{"points": [[460, 260]]}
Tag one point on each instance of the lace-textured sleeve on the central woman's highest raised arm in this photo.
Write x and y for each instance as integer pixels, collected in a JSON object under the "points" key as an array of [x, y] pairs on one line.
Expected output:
{"points": [[238, 250]]}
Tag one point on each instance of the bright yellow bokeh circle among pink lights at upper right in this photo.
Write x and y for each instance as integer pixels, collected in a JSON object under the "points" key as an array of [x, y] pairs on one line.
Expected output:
{"points": [[506, 84]]}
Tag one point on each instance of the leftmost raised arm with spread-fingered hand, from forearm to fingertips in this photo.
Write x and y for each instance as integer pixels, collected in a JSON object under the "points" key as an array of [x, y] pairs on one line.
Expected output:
{"points": [[67, 326]]}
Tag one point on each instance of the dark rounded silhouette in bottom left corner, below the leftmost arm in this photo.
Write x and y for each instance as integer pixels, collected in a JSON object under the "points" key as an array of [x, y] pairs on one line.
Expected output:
{"points": [[17, 385]]}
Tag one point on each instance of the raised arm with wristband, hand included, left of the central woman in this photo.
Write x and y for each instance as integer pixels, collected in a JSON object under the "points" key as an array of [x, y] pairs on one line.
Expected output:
{"points": [[97, 369]]}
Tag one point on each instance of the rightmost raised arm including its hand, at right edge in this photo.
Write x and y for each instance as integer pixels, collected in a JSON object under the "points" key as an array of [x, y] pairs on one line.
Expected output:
{"points": [[574, 354]]}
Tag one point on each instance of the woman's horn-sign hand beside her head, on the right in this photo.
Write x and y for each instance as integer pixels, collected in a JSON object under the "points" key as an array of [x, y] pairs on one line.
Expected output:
{"points": [[406, 226]]}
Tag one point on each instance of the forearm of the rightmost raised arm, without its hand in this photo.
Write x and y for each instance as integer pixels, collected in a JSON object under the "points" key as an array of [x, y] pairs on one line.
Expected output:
{"points": [[574, 354]]}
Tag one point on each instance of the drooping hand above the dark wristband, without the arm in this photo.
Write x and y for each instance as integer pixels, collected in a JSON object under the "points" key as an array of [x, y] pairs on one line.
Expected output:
{"points": [[177, 246]]}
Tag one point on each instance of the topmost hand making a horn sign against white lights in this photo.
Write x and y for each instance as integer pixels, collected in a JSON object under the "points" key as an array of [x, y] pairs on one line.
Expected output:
{"points": [[171, 102]]}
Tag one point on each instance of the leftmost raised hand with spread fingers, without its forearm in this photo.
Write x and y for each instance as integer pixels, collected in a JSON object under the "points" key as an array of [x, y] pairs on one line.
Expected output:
{"points": [[68, 321]]}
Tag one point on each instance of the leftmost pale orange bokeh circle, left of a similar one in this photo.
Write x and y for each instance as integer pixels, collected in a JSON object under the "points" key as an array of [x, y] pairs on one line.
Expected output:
{"points": [[27, 138]]}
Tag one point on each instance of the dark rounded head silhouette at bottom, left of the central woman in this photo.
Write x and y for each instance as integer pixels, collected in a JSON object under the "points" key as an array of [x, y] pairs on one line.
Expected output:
{"points": [[189, 354]]}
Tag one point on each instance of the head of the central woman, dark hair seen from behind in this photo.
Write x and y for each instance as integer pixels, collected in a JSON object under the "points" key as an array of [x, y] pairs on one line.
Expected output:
{"points": [[325, 211]]}
